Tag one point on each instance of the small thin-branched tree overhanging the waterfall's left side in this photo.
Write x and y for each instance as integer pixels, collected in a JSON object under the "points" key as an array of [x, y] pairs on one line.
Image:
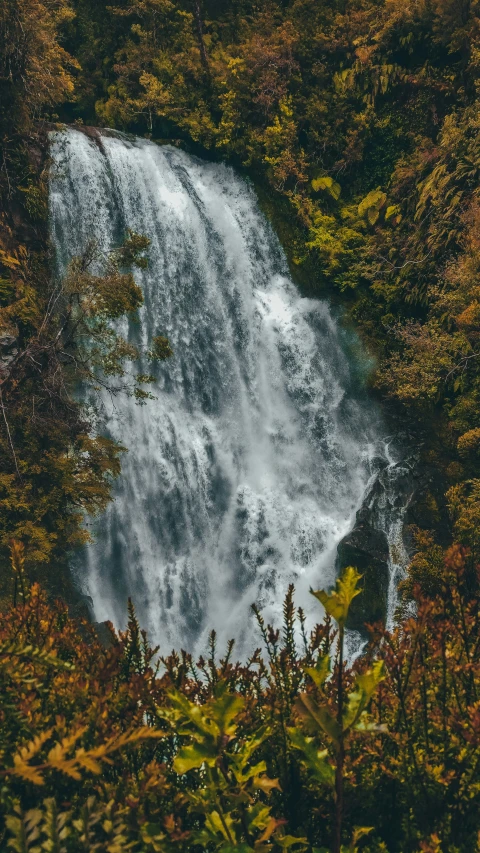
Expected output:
{"points": [[54, 469]]}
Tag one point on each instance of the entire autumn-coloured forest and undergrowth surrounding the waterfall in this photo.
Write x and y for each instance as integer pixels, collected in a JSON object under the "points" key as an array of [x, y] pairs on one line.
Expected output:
{"points": [[357, 121]]}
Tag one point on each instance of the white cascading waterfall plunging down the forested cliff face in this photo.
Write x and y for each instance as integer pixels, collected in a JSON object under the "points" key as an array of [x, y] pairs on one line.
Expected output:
{"points": [[245, 472]]}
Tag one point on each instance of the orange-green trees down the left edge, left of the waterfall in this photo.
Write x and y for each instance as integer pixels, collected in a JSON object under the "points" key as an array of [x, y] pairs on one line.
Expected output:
{"points": [[53, 333]]}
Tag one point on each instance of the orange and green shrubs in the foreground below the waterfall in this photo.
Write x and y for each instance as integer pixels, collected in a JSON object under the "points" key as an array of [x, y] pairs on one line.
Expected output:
{"points": [[108, 748]]}
